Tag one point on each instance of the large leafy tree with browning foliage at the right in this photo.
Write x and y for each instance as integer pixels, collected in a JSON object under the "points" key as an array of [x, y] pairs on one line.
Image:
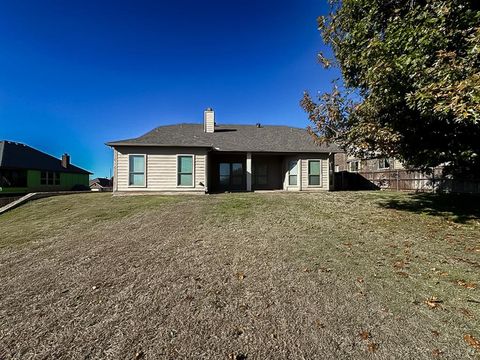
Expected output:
{"points": [[410, 83]]}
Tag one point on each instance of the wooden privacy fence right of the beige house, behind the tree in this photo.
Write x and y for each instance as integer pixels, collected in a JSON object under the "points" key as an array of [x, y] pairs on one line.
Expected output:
{"points": [[403, 180]]}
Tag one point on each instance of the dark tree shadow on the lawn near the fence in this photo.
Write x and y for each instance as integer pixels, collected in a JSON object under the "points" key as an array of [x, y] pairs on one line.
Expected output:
{"points": [[459, 208]]}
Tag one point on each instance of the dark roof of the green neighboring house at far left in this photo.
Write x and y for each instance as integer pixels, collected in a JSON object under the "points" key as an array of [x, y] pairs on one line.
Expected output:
{"points": [[15, 155]]}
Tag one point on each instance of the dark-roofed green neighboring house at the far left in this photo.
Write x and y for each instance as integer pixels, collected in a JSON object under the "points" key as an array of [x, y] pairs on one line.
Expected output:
{"points": [[24, 169]]}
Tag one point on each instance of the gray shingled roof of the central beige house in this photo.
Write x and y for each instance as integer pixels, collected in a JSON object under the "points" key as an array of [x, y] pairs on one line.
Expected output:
{"points": [[235, 138]]}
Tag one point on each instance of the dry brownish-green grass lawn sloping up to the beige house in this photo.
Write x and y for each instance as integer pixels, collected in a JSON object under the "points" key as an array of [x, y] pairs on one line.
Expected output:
{"points": [[235, 276]]}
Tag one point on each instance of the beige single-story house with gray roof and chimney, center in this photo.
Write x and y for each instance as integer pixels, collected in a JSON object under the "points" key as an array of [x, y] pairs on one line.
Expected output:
{"points": [[219, 158]]}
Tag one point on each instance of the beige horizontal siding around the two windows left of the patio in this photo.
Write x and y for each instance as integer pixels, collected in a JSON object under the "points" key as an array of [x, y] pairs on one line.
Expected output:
{"points": [[161, 168]]}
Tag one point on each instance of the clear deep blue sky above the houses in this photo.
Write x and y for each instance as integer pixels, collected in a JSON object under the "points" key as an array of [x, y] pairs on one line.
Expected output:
{"points": [[76, 74]]}
